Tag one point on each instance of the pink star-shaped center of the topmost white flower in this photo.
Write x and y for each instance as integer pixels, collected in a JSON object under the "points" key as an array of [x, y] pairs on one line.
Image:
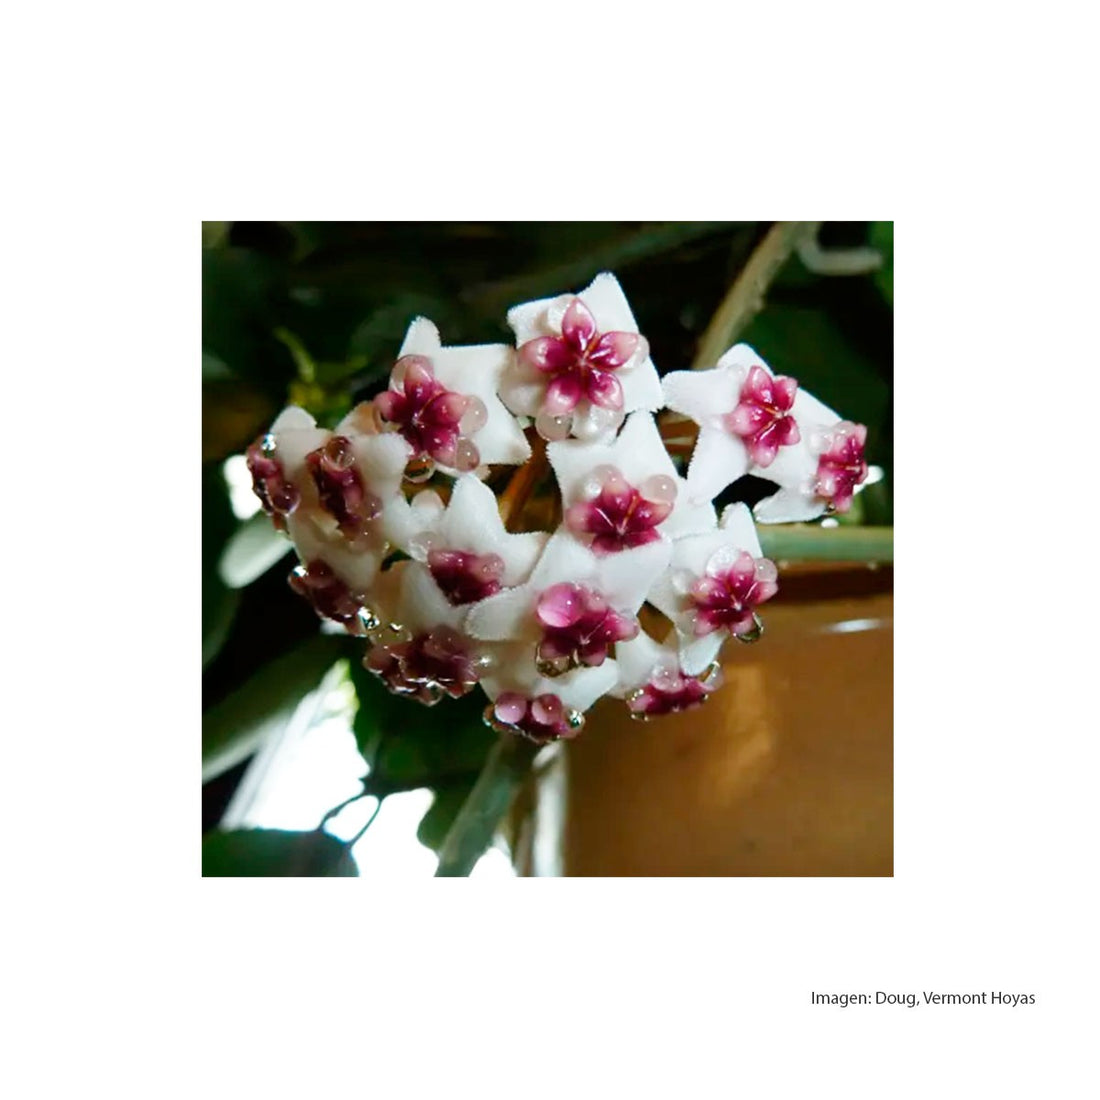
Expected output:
{"points": [[581, 362]]}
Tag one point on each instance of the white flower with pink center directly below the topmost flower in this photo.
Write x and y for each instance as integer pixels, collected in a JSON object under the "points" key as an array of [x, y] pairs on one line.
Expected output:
{"points": [[626, 493]]}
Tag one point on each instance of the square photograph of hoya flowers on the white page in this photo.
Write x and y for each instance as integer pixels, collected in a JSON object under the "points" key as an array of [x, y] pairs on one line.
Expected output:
{"points": [[547, 549]]}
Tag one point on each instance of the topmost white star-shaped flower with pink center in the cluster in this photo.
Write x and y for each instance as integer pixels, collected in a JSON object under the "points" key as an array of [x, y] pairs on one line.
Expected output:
{"points": [[582, 365]]}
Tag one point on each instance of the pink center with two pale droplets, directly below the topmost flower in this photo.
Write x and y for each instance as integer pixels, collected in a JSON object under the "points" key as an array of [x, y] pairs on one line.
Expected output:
{"points": [[617, 515]]}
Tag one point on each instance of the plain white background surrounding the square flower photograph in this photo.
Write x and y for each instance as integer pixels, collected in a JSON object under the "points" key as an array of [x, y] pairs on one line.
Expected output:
{"points": [[127, 975]]}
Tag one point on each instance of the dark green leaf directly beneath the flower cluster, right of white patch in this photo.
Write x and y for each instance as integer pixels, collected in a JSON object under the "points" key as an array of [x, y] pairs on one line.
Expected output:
{"points": [[409, 746]]}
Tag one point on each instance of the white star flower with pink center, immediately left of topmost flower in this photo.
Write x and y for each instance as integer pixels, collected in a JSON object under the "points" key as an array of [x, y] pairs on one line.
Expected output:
{"points": [[444, 403]]}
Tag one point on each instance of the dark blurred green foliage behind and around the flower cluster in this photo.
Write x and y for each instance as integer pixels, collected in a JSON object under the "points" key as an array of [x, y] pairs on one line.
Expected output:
{"points": [[314, 314]]}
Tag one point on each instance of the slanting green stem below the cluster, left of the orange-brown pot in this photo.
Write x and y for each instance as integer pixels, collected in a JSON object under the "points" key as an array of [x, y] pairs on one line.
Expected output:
{"points": [[472, 833]]}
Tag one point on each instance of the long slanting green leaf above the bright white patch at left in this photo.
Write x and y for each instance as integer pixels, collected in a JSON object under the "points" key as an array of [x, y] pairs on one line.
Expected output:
{"points": [[236, 728]]}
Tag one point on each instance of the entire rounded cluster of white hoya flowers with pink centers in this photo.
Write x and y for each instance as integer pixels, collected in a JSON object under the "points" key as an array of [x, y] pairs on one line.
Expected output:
{"points": [[546, 623]]}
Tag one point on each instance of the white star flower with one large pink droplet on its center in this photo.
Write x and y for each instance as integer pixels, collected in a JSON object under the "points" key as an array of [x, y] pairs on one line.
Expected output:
{"points": [[577, 604]]}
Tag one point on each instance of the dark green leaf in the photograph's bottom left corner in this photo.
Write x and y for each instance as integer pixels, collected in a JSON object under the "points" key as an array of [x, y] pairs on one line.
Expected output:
{"points": [[268, 853]]}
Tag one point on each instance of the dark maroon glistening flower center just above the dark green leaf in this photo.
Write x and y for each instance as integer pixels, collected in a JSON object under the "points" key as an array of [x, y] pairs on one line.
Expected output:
{"points": [[432, 665]]}
